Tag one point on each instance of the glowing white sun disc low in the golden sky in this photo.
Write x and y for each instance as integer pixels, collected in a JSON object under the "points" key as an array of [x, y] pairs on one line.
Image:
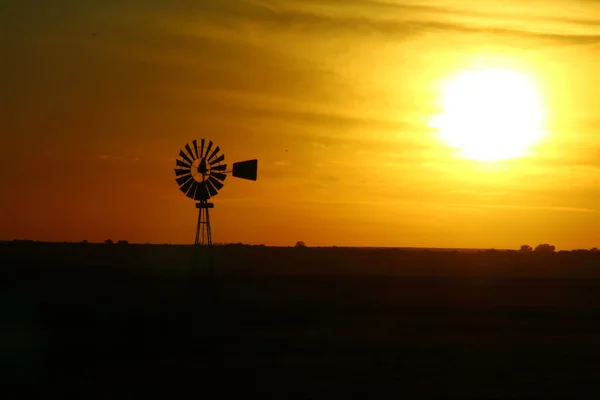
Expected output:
{"points": [[490, 114]]}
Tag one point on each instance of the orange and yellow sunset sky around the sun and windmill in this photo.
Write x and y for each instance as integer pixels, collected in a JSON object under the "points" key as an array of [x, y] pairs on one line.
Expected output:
{"points": [[335, 98]]}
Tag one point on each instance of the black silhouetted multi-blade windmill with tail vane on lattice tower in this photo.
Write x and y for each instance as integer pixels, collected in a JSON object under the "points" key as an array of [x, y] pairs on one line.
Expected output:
{"points": [[200, 173]]}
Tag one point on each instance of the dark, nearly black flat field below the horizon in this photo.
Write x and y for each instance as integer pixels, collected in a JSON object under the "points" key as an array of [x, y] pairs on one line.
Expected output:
{"points": [[98, 320]]}
